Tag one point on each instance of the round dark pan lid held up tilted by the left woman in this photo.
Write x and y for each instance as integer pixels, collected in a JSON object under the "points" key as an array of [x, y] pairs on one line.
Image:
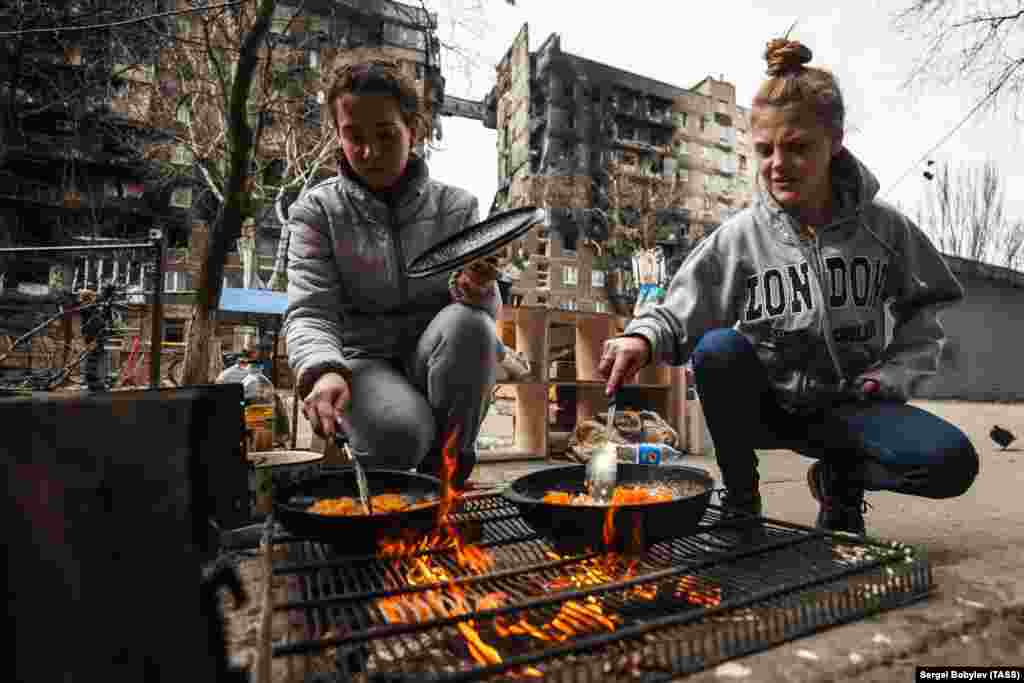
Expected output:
{"points": [[476, 242]]}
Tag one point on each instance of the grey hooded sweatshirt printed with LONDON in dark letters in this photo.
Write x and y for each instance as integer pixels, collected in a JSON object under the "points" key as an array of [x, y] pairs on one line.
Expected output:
{"points": [[815, 311]]}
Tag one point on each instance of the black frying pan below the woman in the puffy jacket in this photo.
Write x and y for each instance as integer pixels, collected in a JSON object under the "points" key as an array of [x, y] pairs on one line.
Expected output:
{"points": [[358, 535]]}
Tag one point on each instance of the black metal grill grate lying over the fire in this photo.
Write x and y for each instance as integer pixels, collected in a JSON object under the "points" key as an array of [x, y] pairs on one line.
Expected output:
{"points": [[688, 605]]}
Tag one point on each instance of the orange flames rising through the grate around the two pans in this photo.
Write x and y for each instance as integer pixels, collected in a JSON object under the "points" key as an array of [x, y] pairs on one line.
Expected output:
{"points": [[447, 599]]}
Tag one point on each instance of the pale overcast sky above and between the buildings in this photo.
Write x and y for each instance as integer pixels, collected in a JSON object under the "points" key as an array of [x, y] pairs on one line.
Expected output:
{"points": [[684, 42]]}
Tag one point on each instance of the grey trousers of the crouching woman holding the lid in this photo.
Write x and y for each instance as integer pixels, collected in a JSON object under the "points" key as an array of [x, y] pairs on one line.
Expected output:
{"points": [[403, 410]]}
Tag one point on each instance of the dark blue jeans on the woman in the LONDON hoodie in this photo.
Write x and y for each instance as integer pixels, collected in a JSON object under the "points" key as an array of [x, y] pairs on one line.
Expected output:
{"points": [[878, 446]]}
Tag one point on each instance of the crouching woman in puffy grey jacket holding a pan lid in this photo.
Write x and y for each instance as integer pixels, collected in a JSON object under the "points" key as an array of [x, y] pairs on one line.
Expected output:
{"points": [[400, 362]]}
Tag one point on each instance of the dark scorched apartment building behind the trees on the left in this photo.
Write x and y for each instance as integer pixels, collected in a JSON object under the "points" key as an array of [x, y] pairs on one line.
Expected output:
{"points": [[106, 138]]}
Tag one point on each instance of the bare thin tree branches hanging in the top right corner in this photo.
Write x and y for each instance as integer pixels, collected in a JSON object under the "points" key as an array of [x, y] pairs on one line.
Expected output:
{"points": [[973, 41]]}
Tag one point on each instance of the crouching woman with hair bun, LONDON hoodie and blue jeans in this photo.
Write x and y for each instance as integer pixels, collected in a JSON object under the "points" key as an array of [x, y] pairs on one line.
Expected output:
{"points": [[782, 312]]}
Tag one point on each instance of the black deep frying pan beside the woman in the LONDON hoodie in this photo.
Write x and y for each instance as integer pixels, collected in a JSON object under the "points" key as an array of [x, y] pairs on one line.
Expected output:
{"points": [[578, 528]]}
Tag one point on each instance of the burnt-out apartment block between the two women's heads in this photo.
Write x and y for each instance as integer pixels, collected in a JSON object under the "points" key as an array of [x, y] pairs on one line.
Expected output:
{"points": [[589, 143]]}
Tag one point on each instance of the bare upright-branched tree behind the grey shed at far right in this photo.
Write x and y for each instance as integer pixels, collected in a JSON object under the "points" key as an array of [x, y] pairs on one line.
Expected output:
{"points": [[964, 215]]}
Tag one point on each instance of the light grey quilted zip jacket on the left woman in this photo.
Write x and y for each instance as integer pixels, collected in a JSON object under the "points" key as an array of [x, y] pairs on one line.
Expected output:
{"points": [[349, 295]]}
